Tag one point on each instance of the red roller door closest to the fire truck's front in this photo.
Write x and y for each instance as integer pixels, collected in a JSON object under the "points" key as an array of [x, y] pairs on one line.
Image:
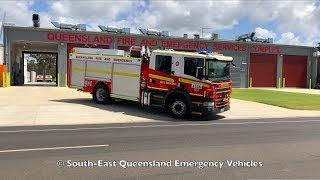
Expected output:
{"points": [[263, 70]]}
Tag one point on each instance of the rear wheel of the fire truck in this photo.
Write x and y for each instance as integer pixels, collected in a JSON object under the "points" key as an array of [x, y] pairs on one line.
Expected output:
{"points": [[101, 94]]}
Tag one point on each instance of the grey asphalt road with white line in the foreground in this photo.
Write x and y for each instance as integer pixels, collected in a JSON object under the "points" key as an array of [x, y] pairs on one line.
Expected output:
{"points": [[255, 149]]}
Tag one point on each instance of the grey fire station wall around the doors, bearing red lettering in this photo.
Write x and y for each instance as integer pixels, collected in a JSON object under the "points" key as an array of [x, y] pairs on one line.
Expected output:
{"points": [[240, 51]]}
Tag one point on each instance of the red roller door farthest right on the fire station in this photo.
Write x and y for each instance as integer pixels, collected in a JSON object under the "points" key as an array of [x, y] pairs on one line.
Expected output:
{"points": [[294, 70]]}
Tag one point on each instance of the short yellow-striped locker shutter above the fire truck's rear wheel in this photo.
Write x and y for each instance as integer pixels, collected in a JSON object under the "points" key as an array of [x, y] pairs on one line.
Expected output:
{"points": [[98, 70]]}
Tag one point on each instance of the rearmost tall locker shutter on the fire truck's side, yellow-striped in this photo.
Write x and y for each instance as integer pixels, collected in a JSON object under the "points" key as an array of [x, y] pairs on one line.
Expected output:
{"points": [[77, 73]]}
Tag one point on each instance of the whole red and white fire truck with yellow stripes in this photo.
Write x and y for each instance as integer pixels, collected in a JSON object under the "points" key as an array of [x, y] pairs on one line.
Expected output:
{"points": [[180, 83]]}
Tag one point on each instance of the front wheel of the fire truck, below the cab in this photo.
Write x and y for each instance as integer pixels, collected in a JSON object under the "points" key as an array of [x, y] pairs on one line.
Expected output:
{"points": [[178, 107]]}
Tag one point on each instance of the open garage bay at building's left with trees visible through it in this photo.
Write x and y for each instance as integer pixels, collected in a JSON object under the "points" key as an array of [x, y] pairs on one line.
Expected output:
{"points": [[33, 63]]}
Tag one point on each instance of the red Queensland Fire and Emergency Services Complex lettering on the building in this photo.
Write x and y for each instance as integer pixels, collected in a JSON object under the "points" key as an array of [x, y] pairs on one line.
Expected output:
{"points": [[163, 43]]}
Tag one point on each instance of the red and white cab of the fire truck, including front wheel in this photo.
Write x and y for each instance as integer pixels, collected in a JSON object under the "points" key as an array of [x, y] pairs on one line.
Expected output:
{"points": [[196, 83]]}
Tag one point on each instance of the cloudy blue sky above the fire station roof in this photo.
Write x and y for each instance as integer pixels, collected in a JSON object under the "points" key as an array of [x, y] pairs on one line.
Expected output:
{"points": [[295, 22]]}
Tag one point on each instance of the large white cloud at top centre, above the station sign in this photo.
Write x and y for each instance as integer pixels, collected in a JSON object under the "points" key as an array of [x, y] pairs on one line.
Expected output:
{"points": [[181, 17]]}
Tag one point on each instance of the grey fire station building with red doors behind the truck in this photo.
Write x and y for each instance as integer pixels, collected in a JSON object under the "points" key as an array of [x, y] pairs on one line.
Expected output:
{"points": [[257, 64]]}
